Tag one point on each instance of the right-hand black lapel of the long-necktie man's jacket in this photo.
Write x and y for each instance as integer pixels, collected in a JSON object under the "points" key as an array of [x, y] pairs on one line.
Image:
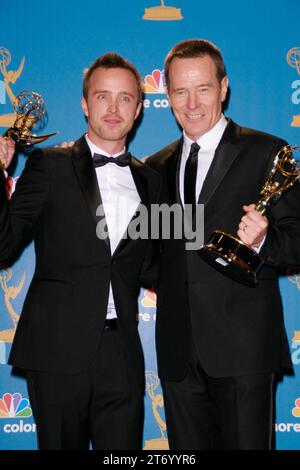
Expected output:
{"points": [[224, 157]]}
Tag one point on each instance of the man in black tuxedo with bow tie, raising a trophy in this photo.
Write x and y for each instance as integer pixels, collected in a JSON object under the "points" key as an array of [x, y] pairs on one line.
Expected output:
{"points": [[77, 336]]}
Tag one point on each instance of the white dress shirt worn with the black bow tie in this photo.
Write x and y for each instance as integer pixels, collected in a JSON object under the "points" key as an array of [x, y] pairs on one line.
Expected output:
{"points": [[120, 200]]}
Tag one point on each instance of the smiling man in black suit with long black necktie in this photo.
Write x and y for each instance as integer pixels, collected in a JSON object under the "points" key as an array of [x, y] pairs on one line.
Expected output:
{"points": [[219, 343]]}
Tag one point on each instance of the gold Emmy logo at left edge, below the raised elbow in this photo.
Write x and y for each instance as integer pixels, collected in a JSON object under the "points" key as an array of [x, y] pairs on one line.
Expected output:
{"points": [[10, 293]]}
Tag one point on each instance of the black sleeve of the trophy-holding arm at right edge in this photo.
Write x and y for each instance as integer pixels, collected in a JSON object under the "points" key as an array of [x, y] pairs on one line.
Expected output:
{"points": [[282, 245]]}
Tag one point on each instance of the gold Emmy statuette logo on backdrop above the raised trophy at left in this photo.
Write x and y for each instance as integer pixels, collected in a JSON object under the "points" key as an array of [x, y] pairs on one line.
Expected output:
{"points": [[9, 77]]}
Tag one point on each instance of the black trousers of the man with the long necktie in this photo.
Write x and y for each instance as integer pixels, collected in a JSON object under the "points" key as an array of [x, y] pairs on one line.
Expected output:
{"points": [[206, 413]]}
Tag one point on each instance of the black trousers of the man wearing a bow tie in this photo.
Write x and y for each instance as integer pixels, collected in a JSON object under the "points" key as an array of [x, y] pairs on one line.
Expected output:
{"points": [[103, 405]]}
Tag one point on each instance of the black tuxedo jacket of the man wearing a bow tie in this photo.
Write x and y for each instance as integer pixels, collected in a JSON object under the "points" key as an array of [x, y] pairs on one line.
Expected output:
{"points": [[55, 204]]}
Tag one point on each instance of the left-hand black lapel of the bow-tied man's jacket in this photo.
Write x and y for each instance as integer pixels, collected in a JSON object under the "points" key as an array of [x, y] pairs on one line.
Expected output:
{"points": [[87, 178]]}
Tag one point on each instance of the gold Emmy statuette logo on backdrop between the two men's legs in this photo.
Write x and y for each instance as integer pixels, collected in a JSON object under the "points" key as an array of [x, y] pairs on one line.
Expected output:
{"points": [[157, 401]]}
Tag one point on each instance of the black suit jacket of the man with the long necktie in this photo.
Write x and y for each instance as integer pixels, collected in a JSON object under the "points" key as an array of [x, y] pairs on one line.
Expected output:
{"points": [[236, 329]]}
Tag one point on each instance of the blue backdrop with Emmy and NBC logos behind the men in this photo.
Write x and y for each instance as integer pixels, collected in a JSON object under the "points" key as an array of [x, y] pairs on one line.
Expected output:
{"points": [[45, 47]]}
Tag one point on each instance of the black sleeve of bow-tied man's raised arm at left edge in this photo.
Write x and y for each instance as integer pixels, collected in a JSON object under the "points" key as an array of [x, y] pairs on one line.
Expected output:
{"points": [[19, 216]]}
